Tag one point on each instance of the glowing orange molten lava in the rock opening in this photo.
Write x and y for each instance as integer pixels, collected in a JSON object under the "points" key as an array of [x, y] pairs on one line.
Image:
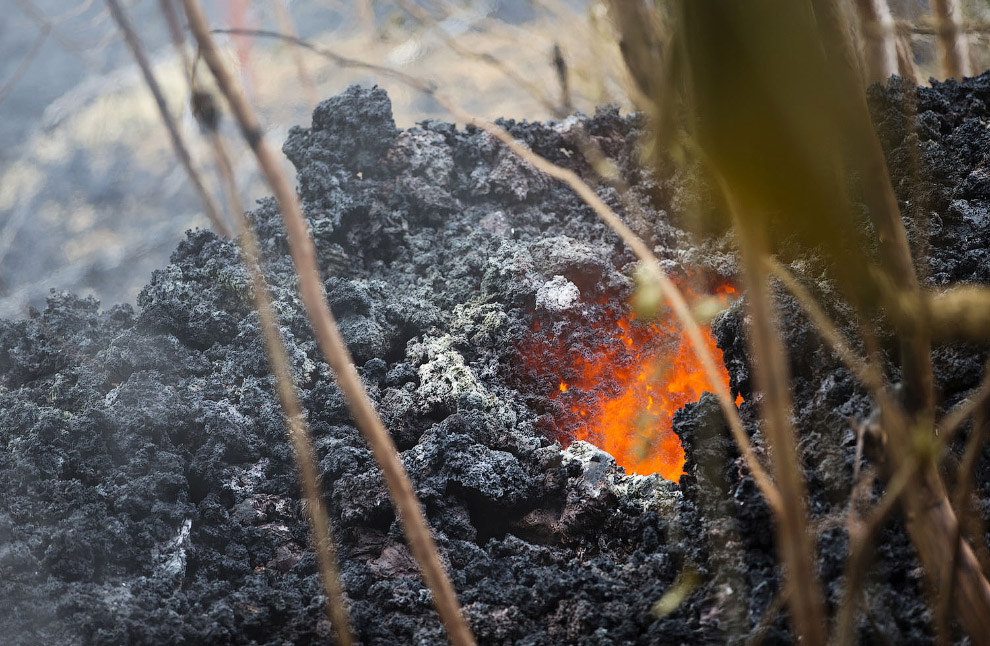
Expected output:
{"points": [[621, 393]]}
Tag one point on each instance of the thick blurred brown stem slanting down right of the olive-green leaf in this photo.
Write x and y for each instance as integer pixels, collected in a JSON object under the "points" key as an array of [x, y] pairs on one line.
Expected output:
{"points": [[930, 519]]}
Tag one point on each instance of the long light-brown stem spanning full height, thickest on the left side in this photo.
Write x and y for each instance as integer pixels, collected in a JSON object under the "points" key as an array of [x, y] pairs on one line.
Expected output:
{"points": [[331, 343]]}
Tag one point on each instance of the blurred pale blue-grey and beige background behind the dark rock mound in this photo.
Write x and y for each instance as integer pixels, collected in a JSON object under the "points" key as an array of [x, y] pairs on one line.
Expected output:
{"points": [[92, 199]]}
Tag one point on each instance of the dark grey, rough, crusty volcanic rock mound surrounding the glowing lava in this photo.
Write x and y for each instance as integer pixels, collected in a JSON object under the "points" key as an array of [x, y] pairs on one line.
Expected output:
{"points": [[147, 489]]}
